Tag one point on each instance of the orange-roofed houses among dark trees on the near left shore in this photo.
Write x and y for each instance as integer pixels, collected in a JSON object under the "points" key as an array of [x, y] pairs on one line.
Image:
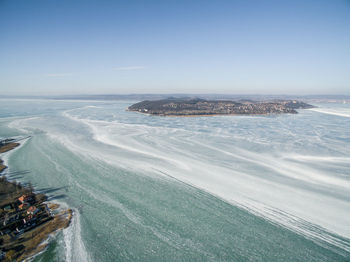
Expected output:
{"points": [[22, 215]]}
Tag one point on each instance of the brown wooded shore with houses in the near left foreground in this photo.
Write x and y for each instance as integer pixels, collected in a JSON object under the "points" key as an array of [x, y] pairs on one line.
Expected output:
{"points": [[27, 220]]}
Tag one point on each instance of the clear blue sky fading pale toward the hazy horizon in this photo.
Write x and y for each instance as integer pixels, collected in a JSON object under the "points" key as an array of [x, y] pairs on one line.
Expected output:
{"points": [[125, 47]]}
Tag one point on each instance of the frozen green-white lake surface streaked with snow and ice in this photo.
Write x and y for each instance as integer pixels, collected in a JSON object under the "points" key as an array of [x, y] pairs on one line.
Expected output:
{"points": [[224, 188]]}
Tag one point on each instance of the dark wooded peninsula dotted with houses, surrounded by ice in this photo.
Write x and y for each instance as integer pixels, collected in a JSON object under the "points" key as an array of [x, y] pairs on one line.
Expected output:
{"points": [[202, 107]]}
